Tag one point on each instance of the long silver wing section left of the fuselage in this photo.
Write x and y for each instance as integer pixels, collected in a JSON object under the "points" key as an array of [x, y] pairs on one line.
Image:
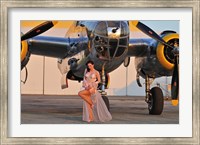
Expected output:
{"points": [[56, 46]]}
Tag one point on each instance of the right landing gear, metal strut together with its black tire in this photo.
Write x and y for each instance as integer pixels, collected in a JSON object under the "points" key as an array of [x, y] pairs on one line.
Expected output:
{"points": [[154, 98]]}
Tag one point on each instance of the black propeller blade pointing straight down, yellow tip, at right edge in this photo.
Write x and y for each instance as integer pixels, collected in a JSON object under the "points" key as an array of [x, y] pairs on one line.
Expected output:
{"points": [[175, 83]]}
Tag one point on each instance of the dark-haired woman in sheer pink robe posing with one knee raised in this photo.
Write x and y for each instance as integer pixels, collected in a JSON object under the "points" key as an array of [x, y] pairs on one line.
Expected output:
{"points": [[94, 108]]}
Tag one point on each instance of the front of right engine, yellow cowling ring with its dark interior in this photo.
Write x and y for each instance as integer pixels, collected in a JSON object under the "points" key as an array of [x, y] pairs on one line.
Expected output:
{"points": [[164, 53]]}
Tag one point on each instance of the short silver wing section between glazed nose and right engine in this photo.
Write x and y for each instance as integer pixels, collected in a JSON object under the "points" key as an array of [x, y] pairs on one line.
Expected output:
{"points": [[139, 47]]}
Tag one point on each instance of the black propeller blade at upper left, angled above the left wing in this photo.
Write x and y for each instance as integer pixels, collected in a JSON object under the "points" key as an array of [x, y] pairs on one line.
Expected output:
{"points": [[38, 29]]}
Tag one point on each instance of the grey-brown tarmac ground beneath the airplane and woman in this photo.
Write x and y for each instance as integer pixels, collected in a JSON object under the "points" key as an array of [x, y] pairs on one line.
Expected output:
{"points": [[68, 110]]}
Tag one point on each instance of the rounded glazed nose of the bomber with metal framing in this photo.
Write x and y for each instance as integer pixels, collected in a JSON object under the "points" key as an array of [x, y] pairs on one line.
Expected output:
{"points": [[111, 38]]}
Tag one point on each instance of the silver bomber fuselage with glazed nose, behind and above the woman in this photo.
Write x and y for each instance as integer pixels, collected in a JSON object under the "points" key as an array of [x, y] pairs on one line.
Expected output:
{"points": [[107, 44]]}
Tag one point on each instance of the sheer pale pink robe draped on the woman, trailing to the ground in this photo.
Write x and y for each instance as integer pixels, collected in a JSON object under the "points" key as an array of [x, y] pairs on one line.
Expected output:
{"points": [[100, 111]]}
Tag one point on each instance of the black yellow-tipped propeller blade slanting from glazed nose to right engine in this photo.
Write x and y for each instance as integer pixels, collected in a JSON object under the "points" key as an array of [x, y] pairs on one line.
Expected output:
{"points": [[148, 31]]}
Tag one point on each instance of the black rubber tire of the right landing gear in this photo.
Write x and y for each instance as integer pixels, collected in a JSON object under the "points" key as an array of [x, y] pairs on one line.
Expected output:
{"points": [[156, 102]]}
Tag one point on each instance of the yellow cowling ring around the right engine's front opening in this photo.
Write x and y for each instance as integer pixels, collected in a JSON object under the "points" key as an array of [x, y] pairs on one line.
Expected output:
{"points": [[161, 48]]}
